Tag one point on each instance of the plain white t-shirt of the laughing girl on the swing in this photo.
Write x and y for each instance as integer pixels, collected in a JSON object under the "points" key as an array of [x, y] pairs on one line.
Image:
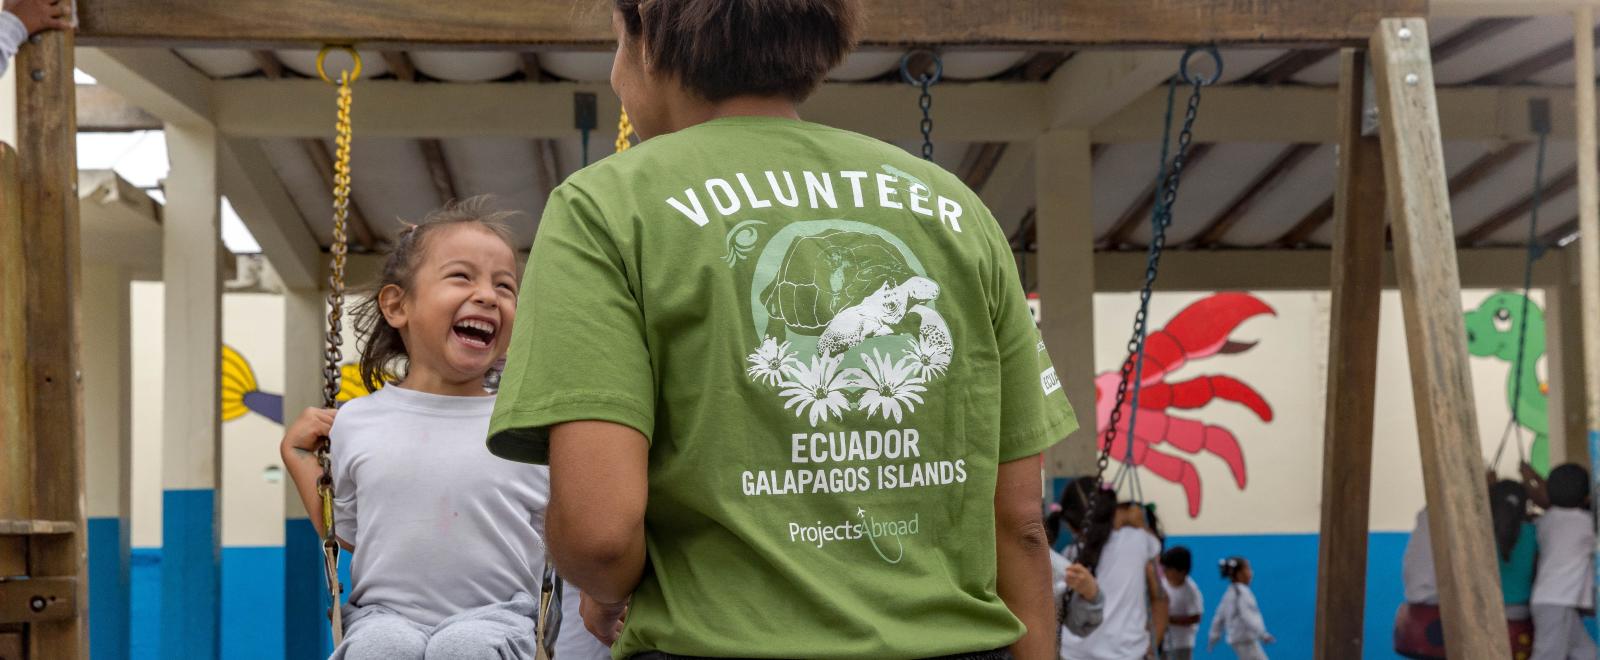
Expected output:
{"points": [[439, 525]]}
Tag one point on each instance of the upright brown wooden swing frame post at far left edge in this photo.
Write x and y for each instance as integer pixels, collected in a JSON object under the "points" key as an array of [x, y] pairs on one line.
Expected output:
{"points": [[44, 618]]}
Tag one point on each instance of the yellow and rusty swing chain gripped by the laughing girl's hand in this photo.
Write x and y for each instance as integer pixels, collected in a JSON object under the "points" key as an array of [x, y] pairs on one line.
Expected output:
{"points": [[335, 339]]}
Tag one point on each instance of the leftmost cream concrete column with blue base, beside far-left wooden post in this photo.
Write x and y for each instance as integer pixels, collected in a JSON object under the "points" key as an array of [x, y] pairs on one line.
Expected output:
{"points": [[108, 440]]}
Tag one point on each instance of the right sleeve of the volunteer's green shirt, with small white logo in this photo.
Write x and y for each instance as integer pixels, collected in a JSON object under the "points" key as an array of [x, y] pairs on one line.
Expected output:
{"points": [[1034, 409]]}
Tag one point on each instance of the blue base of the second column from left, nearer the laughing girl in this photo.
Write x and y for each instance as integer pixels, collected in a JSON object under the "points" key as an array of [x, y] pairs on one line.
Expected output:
{"points": [[190, 576]]}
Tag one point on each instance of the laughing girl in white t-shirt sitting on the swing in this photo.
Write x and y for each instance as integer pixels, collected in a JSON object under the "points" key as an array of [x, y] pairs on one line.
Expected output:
{"points": [[446, 539]]}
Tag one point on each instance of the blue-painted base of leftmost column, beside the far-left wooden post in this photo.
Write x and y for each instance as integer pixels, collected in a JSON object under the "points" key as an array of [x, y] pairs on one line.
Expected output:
{"points": [[110, 566]]}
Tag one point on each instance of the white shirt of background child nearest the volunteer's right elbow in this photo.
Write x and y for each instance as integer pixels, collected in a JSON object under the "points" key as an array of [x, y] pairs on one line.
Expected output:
{"points": [[1122, 635]]}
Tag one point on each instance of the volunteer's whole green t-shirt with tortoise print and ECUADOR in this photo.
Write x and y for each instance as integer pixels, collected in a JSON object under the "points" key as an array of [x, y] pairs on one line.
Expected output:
{"points": [[828, 347]]}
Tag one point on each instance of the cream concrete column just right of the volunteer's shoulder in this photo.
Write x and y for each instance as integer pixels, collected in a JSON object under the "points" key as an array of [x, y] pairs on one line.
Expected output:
{"points": [[1066, 286]]}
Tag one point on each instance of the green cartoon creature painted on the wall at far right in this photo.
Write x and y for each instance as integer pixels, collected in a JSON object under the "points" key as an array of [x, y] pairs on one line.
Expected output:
{"points": [[1494, 331]]}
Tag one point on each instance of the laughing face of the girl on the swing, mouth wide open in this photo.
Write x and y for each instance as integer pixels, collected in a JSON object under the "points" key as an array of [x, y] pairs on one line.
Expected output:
{"points": [[458, 315]]}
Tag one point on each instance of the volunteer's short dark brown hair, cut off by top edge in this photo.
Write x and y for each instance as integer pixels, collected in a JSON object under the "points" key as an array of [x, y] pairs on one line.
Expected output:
{"points": [[724, 49]]}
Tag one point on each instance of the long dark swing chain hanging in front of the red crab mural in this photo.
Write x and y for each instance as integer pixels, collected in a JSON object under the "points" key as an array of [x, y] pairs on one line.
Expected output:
{"points": [[1169, 179]]}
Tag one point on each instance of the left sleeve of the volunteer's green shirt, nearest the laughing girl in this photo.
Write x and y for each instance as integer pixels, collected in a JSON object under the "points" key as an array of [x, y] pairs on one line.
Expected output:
{"points": [[578, 347]]}
